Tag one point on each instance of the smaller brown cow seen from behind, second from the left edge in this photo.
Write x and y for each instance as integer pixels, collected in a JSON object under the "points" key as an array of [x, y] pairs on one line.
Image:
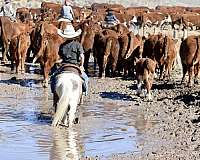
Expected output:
{"points": [[18, 49]]}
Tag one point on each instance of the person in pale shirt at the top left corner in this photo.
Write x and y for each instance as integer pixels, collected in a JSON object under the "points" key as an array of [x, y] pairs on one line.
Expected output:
{"points": [[7, 10]]}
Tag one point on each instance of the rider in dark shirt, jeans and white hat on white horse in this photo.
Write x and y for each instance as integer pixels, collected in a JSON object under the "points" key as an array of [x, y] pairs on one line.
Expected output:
{"points": [[72, 53]]}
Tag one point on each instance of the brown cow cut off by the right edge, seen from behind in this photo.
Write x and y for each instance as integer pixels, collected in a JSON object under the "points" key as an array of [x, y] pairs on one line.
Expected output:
{"points": [[190, 58]]}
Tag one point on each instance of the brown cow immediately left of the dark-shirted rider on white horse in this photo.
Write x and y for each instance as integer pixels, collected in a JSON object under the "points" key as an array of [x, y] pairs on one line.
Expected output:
{"points": [[48, 53]]}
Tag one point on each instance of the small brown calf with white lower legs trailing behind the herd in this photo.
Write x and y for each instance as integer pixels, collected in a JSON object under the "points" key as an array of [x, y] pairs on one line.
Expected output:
{"points": [[145, 69]]}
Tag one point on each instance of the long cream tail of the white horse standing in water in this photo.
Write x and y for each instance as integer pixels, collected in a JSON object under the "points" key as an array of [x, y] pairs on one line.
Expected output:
{"points": [[62, 106]]}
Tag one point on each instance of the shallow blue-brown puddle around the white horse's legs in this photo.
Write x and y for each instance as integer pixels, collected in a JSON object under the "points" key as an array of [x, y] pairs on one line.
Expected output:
{"points": [[105, 128]]}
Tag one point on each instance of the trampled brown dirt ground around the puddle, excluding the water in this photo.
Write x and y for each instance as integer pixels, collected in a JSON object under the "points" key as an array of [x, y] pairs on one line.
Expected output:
{"points": [[175, 108]]}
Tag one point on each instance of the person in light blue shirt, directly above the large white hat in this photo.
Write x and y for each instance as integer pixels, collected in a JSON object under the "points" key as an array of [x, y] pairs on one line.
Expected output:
{"points": [[67, 11]]}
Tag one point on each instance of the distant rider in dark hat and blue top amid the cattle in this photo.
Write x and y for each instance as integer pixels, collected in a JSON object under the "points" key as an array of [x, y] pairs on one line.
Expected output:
{"points": [[110, 19]]}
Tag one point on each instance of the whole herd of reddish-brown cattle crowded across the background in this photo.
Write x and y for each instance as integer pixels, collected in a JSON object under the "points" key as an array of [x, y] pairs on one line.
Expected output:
{"points": [[116, 51]]}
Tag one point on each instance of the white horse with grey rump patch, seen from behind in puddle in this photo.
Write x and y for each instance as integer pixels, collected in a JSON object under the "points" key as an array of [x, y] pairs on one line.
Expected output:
{"points": [[67, 95]]}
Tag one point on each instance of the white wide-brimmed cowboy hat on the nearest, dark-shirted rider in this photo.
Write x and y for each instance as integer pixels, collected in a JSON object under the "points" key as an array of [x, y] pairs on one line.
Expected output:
{"points": [[69, 32]]}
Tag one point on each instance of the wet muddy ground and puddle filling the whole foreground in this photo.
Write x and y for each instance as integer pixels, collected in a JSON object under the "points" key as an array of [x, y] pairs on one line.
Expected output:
{"points": [[114, 123]]}
